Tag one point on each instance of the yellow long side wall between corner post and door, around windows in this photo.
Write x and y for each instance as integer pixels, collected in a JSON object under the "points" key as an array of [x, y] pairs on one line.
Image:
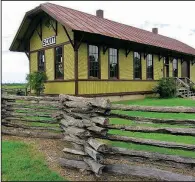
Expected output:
{"points": [[127, 84]]}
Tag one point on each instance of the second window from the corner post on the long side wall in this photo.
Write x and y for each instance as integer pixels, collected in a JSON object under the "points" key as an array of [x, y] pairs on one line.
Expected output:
{"points": [[113, 63]]}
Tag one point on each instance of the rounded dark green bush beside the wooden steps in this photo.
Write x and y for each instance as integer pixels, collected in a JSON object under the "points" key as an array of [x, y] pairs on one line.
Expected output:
{"points": [[166, 88]]}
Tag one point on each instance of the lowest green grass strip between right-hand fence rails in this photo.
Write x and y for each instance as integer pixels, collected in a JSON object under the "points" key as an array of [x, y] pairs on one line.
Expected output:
{"points": [[149, 148]]}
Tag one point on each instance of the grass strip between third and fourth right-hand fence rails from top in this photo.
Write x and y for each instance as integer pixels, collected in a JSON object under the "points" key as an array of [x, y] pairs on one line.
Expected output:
{"points": [[156, 136]]}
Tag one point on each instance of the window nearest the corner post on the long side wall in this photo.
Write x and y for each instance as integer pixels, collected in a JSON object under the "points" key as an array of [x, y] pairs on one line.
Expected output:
{"points": [[93, 61]]}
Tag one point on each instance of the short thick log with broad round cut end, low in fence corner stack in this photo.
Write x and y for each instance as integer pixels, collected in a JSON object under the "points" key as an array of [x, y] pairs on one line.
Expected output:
{"points": [[97, 145]]}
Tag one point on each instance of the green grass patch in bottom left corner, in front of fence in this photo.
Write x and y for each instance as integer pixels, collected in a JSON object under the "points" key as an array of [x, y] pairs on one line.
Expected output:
{"points": [[21, 162]]}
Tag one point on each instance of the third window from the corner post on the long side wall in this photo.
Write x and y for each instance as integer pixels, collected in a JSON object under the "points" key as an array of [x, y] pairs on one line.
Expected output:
{"points": [[137, 65]]}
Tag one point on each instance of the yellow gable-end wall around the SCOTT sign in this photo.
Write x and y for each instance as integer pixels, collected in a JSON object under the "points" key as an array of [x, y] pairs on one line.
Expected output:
{"points": [[54, 87]]}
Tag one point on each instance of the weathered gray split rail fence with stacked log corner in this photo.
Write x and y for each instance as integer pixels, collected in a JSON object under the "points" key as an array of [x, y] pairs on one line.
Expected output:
{"points": [[84, 124]]}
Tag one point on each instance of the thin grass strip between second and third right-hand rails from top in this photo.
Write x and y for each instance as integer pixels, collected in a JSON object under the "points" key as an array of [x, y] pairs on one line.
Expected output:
{"points": [[154, 125]]}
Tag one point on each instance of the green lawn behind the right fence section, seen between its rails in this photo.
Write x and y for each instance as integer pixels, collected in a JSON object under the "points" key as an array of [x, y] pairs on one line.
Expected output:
{"points": [[155, 136]]}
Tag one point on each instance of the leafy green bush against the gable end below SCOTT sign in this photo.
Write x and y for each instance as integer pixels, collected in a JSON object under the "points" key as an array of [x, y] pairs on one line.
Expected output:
{"points": [[36, 81]]}
